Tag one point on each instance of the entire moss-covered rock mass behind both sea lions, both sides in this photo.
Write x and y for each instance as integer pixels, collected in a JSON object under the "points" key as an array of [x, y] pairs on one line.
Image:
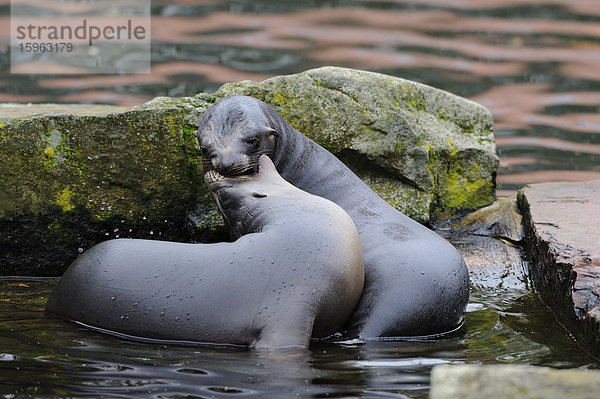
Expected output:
{"points": [[74, 175]]}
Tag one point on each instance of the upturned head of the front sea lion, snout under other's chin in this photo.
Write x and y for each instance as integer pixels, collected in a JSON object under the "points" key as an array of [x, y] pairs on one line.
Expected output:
{"points": [[248, 201]]}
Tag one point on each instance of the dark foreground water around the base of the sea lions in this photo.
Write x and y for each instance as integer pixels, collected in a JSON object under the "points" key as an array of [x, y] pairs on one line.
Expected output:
{"points": [[46, 357]]}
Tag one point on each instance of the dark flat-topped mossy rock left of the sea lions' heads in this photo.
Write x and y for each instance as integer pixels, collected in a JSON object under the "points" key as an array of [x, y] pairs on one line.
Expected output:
{"points": [[74, 175]]}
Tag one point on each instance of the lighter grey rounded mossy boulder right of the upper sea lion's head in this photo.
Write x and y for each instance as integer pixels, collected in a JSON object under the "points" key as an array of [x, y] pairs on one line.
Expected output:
{"points": [[426, 151]]}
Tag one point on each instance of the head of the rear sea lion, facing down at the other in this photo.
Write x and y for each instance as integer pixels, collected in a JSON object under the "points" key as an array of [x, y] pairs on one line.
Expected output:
{"points": [[233, 133]]}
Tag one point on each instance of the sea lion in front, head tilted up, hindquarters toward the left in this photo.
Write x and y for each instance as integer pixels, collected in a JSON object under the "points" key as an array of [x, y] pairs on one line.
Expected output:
{"points": [[294, 272]]}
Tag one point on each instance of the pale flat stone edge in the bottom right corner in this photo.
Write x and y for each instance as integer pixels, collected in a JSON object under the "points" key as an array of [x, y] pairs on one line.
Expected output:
{"points": [[512, 381]]}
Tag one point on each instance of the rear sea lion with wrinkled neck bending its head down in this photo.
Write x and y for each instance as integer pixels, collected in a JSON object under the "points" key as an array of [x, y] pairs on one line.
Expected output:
{"points": [[416, 283]]}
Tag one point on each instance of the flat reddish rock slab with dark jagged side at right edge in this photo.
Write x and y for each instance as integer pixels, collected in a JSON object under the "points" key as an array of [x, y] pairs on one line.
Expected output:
{"points": [[562, 226]]}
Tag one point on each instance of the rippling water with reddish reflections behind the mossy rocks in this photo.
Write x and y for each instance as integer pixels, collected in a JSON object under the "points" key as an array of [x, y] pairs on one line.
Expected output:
{"points": [[534, 63]]}
